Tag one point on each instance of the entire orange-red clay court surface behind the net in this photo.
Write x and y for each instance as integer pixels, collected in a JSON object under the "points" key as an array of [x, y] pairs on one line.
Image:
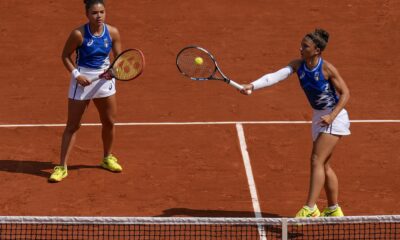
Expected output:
{"points": [[198, 170]]}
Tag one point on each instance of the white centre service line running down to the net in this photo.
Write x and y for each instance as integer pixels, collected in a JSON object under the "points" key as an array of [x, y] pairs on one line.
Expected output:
{"points": [[250, 178]]}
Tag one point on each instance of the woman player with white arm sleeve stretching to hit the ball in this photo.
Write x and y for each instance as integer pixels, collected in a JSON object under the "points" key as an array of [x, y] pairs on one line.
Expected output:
{"points": [[327, 94]]}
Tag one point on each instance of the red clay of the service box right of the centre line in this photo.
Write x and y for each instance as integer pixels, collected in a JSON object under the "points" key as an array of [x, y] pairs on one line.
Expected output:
{"points": [[366, 167]]}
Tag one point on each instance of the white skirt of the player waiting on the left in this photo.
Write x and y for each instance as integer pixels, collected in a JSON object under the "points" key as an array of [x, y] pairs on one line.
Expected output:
{"points": [[98, 89]]}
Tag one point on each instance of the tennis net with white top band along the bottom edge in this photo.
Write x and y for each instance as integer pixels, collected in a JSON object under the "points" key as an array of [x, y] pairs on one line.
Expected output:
{"points": [[360, 227]]}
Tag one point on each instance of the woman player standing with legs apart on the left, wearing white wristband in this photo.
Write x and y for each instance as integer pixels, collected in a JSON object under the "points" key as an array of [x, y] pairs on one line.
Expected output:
{"points": [[92, 44]]}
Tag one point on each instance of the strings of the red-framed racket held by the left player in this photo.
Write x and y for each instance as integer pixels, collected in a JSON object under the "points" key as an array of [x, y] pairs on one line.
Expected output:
{"points": [[128, 65]]}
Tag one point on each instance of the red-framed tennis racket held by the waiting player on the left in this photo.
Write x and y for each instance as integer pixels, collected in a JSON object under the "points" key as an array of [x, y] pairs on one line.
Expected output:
{"points": [[128, 65]]}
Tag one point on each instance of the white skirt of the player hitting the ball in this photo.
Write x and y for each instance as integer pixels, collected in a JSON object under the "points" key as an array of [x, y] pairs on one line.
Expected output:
{"points": [[339, 126]]}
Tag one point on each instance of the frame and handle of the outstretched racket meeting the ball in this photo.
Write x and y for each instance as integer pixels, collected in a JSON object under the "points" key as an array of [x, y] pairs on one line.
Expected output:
{"points": [[212, 76]]}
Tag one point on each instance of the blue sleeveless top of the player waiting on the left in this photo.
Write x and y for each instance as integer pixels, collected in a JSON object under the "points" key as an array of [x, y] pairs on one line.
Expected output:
{"points": [[94, 51]]}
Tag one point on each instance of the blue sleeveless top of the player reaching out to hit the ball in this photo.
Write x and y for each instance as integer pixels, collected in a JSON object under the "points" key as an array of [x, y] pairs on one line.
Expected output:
{"points": [[320, 92]]}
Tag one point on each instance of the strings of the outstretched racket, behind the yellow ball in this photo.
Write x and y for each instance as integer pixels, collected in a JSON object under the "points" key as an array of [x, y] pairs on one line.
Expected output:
{"points": [[187, 64]]}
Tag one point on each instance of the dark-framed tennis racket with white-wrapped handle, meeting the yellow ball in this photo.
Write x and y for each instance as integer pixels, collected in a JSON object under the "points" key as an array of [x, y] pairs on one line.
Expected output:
{"points": [[199, 64]]}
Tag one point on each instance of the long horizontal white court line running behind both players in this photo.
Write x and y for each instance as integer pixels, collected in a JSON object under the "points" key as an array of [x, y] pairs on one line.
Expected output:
{"points": [[187, 123]]}
